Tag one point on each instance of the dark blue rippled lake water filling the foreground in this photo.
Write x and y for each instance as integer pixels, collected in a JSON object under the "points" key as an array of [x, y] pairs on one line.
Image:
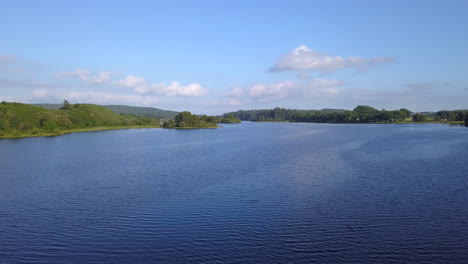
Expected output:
{"points": [[247, 193]]}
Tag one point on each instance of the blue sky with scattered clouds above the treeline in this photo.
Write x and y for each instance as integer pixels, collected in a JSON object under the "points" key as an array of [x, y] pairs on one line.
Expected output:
{"points": [[211, 57]]}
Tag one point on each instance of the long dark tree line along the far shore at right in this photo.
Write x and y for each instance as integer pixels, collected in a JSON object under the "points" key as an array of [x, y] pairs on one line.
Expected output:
{"points": [[360, 114]]}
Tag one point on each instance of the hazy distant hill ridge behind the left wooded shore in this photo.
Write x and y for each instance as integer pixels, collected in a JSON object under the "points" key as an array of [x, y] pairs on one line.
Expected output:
{"points": [[128, 110]]}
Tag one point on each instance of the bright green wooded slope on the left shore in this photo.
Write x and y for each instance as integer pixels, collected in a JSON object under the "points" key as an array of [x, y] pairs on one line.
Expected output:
{"points": [[18, 120]]}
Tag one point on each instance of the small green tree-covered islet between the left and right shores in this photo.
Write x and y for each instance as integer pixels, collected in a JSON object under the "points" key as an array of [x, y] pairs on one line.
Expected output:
{"points": [[188, 120]]}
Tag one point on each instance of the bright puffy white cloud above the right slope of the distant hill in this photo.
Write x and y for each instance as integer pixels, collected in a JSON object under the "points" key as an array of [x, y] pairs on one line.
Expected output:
{"points": [[140, 86]]}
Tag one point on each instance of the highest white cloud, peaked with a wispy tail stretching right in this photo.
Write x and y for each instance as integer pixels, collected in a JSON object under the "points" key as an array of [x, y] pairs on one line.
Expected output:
{"points": [[302, 58]]}
